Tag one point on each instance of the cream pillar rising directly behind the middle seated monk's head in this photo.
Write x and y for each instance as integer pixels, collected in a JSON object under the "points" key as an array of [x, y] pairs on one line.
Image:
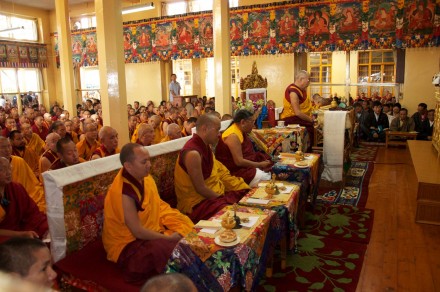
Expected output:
{"points": [[222, 57]]}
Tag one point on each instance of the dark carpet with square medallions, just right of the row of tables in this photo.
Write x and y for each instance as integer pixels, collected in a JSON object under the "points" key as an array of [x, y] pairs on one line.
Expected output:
{"points": [[355, 190]]}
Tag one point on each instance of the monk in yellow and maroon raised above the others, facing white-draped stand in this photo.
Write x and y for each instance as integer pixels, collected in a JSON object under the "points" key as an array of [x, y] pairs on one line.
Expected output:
{"points": [[297, 106]]}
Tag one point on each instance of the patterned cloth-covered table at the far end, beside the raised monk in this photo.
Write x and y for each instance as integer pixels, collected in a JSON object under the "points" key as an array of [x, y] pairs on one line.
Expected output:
{"points": [[273, 141]]}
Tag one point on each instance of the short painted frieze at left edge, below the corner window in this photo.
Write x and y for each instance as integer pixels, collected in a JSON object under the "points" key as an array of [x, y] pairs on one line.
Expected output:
{"points": [[22, 55]]}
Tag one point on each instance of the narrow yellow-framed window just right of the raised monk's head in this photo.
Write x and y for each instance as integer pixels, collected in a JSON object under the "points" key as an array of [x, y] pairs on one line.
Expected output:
{"points": [[320, 68]]}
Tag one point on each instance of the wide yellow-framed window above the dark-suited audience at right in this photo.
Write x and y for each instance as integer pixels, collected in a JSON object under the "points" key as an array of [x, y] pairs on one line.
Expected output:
{"points": [[376, 67]]}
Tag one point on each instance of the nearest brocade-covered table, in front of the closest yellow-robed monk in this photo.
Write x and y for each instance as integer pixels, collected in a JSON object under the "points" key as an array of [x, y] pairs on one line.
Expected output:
{"points": [[218, 268]]}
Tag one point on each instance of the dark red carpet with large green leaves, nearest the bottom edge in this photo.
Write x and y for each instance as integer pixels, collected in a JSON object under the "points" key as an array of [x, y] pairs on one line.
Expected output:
{"points": [[322, 263]]}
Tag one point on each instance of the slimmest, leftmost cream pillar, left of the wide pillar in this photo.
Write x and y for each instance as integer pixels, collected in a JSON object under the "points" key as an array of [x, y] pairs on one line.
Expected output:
{"points": [[65, 48]]}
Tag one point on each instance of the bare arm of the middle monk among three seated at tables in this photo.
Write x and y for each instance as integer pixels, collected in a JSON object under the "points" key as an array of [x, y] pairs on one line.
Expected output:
{"points": [[193, 164]]}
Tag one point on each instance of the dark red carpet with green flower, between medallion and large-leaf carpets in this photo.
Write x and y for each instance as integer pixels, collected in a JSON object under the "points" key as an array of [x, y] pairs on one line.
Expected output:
{"points": [[339, 222]]}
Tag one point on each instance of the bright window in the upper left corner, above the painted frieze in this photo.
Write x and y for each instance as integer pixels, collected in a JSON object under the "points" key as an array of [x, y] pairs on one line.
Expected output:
{"points": [[18, 28]]}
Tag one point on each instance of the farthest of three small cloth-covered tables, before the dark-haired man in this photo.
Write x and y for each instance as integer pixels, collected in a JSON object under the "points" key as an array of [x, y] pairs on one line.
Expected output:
{"points": [[306, 172]]}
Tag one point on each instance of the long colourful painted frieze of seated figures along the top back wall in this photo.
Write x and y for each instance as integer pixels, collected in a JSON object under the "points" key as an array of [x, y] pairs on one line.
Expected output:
{"points": [[278, 28]]}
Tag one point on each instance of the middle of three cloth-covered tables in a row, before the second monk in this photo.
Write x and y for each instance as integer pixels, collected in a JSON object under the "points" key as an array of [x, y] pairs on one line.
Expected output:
{"points": [[285, 204]]}
